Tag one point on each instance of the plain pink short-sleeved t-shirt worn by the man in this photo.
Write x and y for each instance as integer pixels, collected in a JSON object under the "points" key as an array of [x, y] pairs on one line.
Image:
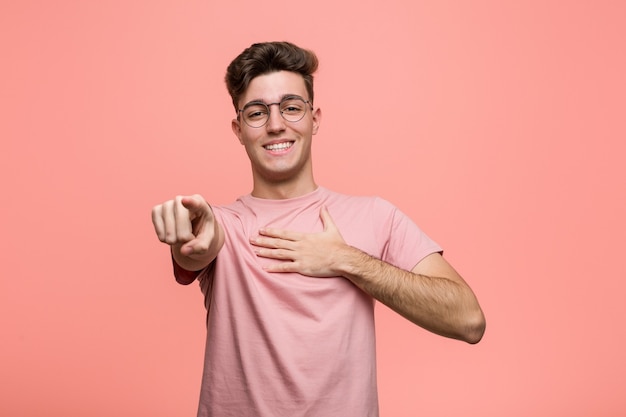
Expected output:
{"points": [[284, 344]]}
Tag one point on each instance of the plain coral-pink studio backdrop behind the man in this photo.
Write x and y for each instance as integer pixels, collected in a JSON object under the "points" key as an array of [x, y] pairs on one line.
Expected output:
{"points": [[498, 126]]}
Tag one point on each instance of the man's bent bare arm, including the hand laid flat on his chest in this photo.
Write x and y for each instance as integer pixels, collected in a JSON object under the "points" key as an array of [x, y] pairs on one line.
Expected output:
{"points": [[433, 295]]}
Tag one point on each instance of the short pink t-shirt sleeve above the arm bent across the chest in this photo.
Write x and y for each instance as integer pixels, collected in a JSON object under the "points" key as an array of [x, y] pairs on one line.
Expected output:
{"points": [[406, 244]]}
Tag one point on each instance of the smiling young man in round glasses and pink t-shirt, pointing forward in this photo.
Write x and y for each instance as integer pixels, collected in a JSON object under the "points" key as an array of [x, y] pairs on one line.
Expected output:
{"points": [[290, 271]]}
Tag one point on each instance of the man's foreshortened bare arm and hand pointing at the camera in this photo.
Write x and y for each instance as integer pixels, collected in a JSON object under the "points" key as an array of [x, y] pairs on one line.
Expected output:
{"points": [[188, 225]]}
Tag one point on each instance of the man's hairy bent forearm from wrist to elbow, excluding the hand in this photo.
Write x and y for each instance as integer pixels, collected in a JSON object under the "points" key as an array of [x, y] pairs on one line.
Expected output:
{"points": [[441, 305]]}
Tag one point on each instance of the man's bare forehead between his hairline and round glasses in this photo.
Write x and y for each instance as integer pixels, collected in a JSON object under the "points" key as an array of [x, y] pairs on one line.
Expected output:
{"points": [[272, 87]]}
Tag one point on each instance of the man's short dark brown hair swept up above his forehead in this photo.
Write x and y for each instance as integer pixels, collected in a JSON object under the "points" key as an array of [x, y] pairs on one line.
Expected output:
{"points": [[267, 57]]}
